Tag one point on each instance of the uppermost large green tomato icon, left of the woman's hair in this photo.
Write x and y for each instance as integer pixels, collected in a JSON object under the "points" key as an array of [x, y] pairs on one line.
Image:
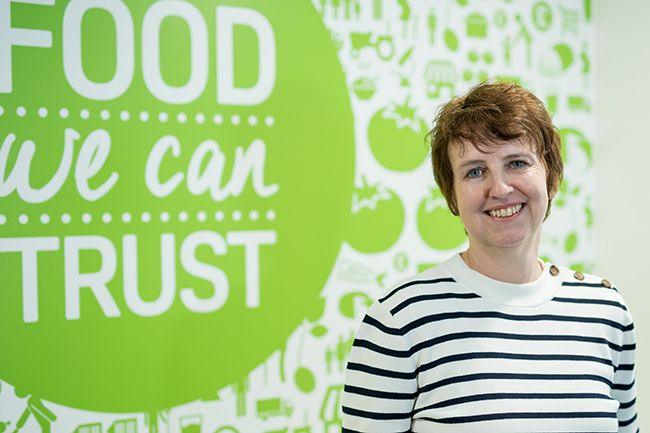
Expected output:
{"points": [[396, 137]]}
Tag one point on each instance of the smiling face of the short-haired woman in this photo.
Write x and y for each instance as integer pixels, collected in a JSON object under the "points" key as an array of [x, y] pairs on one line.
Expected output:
{"points": [[501, 195]]}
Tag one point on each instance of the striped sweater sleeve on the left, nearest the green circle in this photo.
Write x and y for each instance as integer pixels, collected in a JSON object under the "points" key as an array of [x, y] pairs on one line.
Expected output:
{"points": [[380, 385]]}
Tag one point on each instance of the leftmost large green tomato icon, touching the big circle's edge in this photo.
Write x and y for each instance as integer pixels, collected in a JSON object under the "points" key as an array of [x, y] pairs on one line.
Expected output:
{"points": [[377, 218]]}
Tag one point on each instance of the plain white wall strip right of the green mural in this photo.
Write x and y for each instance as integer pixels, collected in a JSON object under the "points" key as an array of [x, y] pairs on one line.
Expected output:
{"points": [[623, 165]]}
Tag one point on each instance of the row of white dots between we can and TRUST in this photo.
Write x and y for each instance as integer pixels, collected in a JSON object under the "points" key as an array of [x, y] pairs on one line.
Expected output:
{"points": [[146, 217]]}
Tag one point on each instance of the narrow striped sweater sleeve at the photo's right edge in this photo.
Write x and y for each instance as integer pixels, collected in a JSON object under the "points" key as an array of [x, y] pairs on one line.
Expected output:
{"points": [[624, 387]]}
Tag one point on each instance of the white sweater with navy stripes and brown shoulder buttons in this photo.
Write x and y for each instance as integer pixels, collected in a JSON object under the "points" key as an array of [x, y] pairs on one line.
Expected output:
{"points": [[452, 350]]}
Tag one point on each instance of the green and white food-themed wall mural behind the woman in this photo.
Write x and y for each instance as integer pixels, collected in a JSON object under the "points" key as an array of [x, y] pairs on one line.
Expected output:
{"points": [[199, 199]]}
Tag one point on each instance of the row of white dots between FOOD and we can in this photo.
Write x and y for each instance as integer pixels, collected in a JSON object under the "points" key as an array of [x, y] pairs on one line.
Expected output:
{"points": [[145, 116]]}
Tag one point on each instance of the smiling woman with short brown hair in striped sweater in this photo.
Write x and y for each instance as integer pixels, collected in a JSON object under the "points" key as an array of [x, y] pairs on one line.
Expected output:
{"points": [[494, 339]]}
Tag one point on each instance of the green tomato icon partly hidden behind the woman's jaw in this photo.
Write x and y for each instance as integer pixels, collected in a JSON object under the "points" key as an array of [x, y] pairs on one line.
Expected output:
{"points": [[438, 227]]}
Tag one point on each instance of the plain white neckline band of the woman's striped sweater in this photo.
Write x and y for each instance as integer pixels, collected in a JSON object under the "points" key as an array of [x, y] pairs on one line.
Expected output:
{"points": [[530, 294]]}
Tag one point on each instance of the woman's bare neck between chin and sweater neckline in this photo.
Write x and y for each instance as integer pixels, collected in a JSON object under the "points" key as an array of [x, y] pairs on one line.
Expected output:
{"points": [[512, 265]]}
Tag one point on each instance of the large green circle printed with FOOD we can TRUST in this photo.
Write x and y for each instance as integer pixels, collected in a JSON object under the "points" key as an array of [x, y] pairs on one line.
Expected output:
{"points": [[254, 210]]}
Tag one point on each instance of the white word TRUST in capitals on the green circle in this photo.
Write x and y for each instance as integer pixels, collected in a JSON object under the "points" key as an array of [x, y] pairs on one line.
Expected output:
{"points": [[195, 299]]}
